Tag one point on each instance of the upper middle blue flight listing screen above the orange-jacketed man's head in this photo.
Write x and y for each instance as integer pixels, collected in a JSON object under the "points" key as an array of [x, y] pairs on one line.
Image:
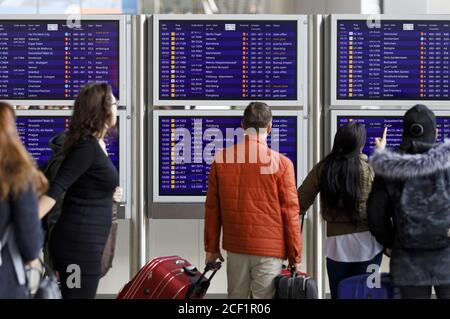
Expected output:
{"points": [[228, 60]]}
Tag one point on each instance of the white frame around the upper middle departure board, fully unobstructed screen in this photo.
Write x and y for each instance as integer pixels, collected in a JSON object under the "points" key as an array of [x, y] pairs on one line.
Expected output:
{"points": [[302, 58]]}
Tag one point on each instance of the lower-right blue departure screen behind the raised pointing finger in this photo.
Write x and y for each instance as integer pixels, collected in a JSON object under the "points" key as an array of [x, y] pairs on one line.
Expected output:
{"points": [[375, 125]]}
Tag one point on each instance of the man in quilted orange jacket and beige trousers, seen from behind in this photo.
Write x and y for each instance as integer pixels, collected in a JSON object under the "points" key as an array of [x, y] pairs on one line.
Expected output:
{"points": [[255, 201]]}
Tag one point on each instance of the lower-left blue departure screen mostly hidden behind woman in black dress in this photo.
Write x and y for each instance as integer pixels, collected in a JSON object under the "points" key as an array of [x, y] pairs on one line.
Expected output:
{"points": [[36, 131]]}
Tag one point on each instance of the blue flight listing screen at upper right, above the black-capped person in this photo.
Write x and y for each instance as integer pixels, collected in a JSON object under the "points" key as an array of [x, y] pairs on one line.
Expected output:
{"points": [[393, 60]]}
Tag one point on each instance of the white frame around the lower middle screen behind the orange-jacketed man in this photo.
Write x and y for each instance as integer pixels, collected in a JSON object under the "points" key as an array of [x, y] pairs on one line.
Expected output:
{"points": [[301, 145]]}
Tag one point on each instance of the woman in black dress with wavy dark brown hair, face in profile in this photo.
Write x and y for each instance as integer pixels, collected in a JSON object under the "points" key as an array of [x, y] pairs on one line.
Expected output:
{"points": [[89, 180]]}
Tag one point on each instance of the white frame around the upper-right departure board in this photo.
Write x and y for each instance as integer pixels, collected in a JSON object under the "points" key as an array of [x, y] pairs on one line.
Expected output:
{"points": [[333, 60]]}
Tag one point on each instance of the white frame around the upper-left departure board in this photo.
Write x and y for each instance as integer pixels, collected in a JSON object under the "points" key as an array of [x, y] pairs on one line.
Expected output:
{"points": [[121, 19]]}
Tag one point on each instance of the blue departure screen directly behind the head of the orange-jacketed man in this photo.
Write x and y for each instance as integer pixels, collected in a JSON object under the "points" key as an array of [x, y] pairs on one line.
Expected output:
{"points": [[191, 179]]}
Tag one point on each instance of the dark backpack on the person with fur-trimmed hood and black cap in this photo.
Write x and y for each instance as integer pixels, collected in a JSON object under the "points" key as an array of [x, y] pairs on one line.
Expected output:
{"points": [[422, 216]]}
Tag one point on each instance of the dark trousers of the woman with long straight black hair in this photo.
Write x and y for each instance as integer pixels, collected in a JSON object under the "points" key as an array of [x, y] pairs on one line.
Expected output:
{"points": [[338, 271]]}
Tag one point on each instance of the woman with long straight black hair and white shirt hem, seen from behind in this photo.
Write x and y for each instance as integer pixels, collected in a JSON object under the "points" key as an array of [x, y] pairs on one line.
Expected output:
{"points": [[344, 181]]}
